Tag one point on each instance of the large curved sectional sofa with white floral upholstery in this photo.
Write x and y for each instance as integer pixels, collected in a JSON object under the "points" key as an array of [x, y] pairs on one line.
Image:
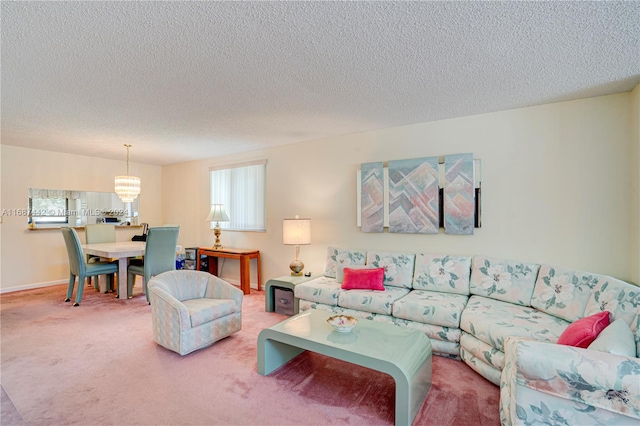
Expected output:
{"points": [[502, 318]]}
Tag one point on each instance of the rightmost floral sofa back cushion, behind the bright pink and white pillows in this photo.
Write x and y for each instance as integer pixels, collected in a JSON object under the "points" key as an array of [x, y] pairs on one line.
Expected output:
{"points": [[618, 297]]}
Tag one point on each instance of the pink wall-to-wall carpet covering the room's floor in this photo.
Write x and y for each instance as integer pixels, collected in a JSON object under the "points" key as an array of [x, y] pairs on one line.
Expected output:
{"points": [[98, 365]]}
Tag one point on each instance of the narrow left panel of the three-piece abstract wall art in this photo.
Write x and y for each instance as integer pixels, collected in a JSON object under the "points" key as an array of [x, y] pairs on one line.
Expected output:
{"points": [[372, 197]]}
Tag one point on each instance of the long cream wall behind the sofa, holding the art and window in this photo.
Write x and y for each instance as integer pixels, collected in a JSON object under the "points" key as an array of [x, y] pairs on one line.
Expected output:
{"points": [[556, 189]]}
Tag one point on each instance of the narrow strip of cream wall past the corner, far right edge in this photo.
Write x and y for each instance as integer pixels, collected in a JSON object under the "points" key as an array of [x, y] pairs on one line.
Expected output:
{"points": [[634, 251]]}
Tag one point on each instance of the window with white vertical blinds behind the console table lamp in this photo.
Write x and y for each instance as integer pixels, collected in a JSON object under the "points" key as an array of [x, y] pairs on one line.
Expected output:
{"points": [[241, 189]]}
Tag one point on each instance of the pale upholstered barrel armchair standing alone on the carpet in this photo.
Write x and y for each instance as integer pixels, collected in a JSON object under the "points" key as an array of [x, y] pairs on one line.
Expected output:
{"points": [[193, 309]]}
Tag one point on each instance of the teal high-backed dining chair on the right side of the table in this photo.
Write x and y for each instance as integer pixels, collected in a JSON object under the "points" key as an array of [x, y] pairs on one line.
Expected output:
{"points": [[159, 257]]}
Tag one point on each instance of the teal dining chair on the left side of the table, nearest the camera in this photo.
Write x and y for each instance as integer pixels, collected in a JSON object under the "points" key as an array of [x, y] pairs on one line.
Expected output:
{"points": [[78, 267]]}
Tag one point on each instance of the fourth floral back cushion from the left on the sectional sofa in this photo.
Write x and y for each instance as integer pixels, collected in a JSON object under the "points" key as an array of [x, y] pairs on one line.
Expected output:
{"points": [[502, 279]]}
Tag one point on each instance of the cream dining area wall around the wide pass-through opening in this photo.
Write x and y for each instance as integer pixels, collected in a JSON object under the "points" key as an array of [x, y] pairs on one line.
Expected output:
{"points": [[35, 258]]}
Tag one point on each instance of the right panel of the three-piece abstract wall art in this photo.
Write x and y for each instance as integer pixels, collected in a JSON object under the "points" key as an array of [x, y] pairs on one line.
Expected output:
{"points": [[459, 194]]}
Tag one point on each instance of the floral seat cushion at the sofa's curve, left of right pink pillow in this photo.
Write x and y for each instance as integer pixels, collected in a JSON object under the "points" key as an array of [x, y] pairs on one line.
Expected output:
{"points": [[493, 320]]}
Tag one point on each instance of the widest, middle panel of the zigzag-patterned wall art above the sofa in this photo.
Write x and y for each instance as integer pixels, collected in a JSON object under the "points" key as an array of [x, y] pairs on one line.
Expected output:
{"points": [[414, 196]]}
